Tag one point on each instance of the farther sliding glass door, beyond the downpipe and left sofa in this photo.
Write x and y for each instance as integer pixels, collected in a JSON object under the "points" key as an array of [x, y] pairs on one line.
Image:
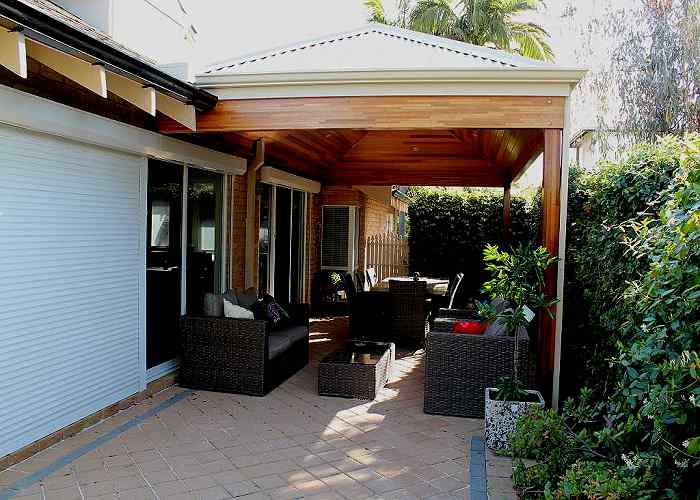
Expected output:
{"points": [[282, 242]]}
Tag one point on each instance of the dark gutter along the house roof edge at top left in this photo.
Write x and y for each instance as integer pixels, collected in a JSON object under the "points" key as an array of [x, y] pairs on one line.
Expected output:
{"points": [[58, 35]]}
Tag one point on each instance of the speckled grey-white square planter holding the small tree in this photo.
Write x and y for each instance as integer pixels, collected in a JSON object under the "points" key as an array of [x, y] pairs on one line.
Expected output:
{"points": [[501, 417]]}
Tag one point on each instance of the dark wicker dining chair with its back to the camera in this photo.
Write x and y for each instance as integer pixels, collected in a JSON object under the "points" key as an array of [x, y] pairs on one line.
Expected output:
{"points": [[409, 310]]}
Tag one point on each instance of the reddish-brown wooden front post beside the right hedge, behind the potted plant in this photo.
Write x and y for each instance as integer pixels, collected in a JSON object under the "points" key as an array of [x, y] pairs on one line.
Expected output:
{"points": [[551, 185]]}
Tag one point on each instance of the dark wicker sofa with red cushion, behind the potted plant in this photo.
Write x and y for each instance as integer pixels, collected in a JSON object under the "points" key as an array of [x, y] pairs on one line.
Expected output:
{"points": [[458, 368]]}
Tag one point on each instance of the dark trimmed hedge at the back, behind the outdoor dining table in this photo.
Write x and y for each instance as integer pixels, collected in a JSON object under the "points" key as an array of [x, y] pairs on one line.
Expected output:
{"points": [[449, 230]]}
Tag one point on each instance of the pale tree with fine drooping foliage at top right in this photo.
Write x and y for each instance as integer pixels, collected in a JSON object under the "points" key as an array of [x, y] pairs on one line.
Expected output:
{"points": [[650, 84]]}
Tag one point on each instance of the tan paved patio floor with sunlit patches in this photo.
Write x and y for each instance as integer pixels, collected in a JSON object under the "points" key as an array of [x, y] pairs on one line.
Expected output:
{"points": [[289, 444]]}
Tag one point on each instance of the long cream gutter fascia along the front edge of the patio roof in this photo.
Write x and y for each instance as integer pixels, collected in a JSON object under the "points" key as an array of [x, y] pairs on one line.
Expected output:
{"points": [[524, 82]]}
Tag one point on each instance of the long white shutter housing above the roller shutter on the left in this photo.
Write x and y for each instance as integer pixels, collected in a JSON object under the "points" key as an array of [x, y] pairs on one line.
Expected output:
{"points": [[34, 113]]}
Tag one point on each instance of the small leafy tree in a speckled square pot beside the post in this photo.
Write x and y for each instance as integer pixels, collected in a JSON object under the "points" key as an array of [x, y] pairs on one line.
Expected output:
{"points": [[518, 281]]}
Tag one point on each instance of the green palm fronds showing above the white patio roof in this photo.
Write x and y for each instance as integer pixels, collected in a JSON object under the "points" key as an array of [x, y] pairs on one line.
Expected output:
{"points": [[490, 23]]}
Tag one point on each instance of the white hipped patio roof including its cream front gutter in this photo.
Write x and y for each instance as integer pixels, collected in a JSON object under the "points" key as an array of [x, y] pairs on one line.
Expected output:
{"points": [[309, 69]]}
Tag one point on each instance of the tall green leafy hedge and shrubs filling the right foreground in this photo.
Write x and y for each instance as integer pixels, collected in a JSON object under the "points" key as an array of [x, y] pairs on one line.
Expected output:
{"points": [[643, 439]]}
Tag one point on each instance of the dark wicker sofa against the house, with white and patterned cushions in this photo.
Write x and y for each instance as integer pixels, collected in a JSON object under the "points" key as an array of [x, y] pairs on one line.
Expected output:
{"points": [[242, 356]]}
